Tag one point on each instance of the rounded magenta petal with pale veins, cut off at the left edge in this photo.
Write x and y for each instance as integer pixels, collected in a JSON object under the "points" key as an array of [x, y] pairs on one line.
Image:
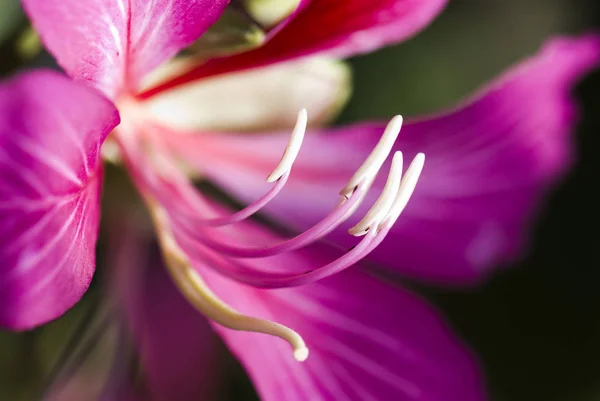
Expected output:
{"points": [[51, 130]]}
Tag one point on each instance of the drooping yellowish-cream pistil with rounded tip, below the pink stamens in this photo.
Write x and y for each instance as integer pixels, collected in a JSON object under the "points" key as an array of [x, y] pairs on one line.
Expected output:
{"points": [[204, 300]]}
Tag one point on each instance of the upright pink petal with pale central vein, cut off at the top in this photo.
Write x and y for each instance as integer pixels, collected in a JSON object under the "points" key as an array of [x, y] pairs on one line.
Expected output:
{"points": [[112, 44]]}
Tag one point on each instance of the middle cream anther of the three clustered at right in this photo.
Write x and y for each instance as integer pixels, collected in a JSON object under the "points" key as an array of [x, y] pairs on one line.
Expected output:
{"points": [[383, 204]]}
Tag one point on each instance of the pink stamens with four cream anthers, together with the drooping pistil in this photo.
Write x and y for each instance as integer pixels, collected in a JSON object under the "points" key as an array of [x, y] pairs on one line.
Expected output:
{"points": [[175, 206]]}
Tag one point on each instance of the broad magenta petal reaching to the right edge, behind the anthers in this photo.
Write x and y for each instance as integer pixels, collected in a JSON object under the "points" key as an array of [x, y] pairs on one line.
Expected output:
{"points": [[489, 164]]}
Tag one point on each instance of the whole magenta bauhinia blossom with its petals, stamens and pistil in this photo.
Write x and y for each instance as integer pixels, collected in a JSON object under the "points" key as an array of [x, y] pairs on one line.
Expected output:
{"points": [[490, 161]]}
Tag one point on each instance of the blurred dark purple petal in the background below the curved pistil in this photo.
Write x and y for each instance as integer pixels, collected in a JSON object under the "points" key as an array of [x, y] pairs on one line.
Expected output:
{"points": [[178, 349]]}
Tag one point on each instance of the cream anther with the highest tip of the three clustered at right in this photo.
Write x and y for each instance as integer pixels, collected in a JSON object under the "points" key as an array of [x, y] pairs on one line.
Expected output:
{"points": [[368, 170]]}
